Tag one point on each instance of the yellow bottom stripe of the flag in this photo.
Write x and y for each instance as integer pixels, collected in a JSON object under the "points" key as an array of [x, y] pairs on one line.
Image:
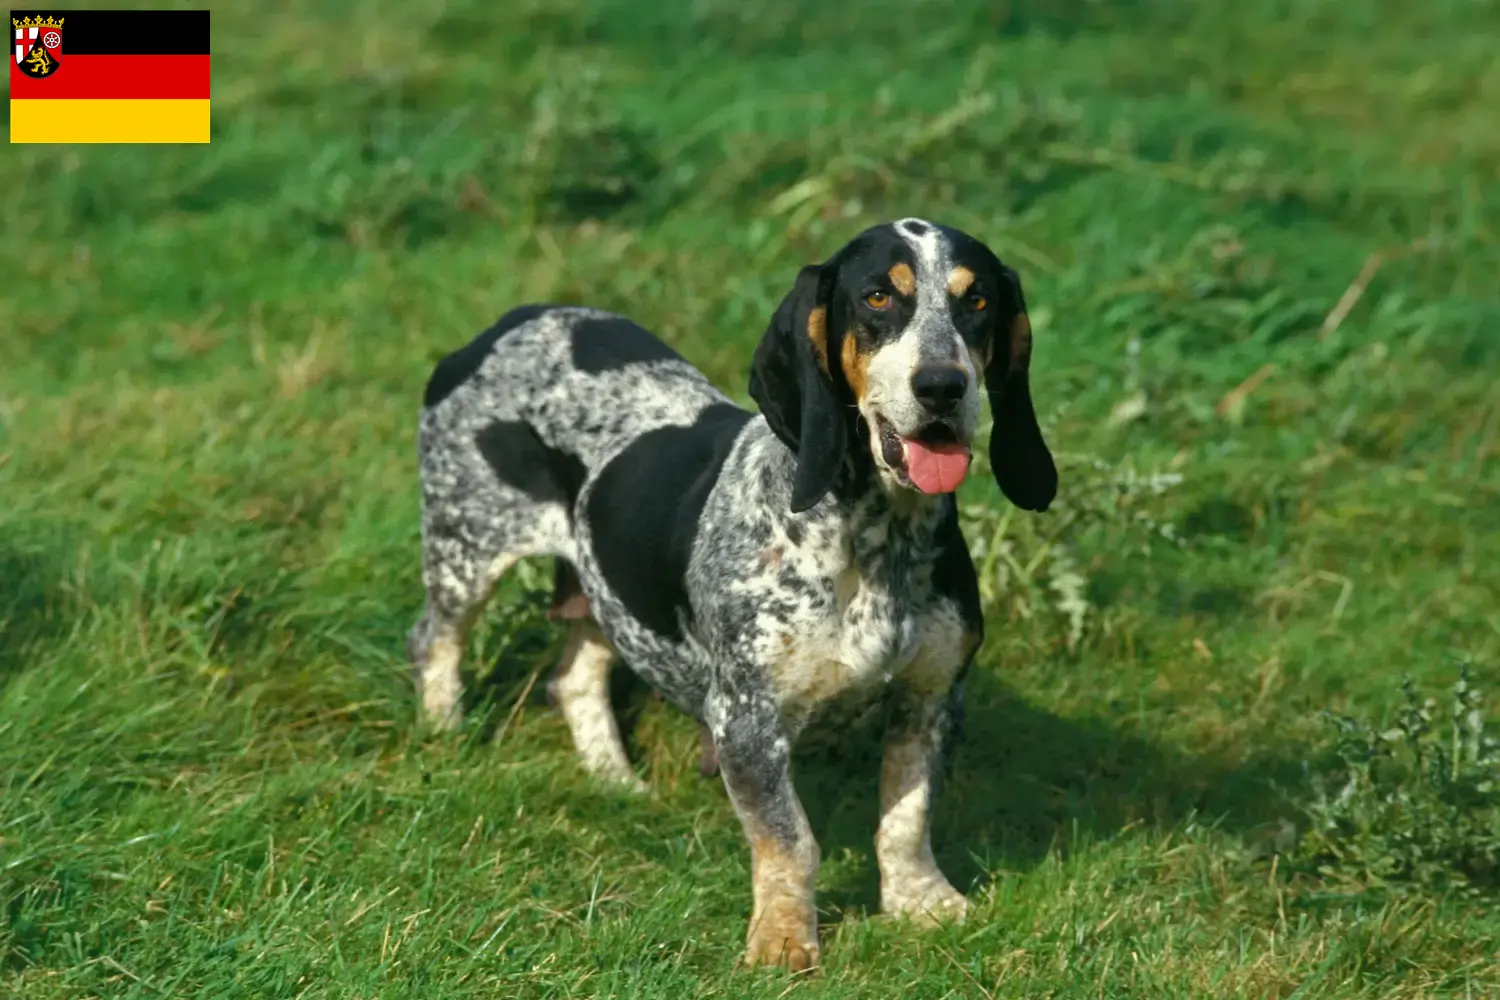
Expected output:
{"points": [[109, 121]]}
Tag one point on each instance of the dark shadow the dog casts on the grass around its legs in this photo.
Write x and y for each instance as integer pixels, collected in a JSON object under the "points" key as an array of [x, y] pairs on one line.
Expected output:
{"points": [[1022, 785]]}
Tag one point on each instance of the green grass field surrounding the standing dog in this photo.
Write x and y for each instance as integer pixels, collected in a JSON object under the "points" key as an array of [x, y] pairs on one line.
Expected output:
{"points": [[211, 779]]}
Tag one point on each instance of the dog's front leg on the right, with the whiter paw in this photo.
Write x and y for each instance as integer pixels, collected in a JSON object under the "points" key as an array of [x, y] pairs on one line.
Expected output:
{"points": [[911, 882]]}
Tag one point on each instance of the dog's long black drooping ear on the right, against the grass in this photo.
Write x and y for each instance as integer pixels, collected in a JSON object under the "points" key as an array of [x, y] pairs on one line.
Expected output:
{"points": [[1019, 457]]}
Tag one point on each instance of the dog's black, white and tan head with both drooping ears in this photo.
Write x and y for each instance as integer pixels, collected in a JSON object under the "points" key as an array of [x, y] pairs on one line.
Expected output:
{"points": [[884, 347]]}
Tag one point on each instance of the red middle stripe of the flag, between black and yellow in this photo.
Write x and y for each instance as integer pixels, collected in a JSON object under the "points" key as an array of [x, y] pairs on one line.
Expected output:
{"points": [[118, 77]]}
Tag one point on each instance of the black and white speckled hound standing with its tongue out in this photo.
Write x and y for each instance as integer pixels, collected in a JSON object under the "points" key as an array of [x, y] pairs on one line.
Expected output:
{"points": [[757, 570]]}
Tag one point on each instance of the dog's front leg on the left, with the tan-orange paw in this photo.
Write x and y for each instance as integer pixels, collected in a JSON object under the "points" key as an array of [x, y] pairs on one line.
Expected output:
{"points": [[755, 759]]}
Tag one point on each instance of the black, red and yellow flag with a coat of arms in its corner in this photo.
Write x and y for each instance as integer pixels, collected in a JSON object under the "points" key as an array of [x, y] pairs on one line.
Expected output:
{"points": [[110, 77]]}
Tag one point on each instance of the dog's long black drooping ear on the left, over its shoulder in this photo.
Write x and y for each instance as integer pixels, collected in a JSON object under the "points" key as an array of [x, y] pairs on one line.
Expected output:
{"points": [[791, 383]]}
